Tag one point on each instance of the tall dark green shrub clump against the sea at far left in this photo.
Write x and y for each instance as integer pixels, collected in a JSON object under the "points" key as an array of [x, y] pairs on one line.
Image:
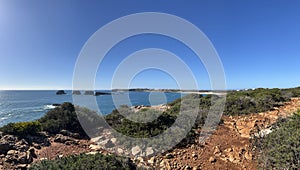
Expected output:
{"points": [[60, 118]]}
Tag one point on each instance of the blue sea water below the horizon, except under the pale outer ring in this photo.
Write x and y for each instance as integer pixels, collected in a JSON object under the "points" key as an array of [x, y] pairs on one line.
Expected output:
{"points": [[19, 106]]}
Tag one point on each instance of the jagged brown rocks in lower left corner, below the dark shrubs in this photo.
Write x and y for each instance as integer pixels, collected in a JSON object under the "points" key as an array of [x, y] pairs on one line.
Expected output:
{"points": [[18, 153]]}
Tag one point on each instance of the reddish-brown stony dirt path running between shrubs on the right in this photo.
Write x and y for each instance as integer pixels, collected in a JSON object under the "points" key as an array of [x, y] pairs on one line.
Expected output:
{"points": [[229, 147]]}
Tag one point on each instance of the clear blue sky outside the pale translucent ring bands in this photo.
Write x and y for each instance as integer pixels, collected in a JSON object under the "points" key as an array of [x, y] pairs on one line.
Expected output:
{"points": [[257, 41]]}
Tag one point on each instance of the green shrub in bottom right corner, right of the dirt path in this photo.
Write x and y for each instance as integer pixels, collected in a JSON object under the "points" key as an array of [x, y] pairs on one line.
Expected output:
{"points": [[281, 148]]}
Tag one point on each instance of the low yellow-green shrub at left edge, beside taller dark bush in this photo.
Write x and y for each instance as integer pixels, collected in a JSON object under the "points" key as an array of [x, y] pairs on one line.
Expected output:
{"points": [[22, 128]]}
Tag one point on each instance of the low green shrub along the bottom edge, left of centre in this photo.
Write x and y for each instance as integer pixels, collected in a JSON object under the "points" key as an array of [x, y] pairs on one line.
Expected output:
{"points": [[84, 161]]}
